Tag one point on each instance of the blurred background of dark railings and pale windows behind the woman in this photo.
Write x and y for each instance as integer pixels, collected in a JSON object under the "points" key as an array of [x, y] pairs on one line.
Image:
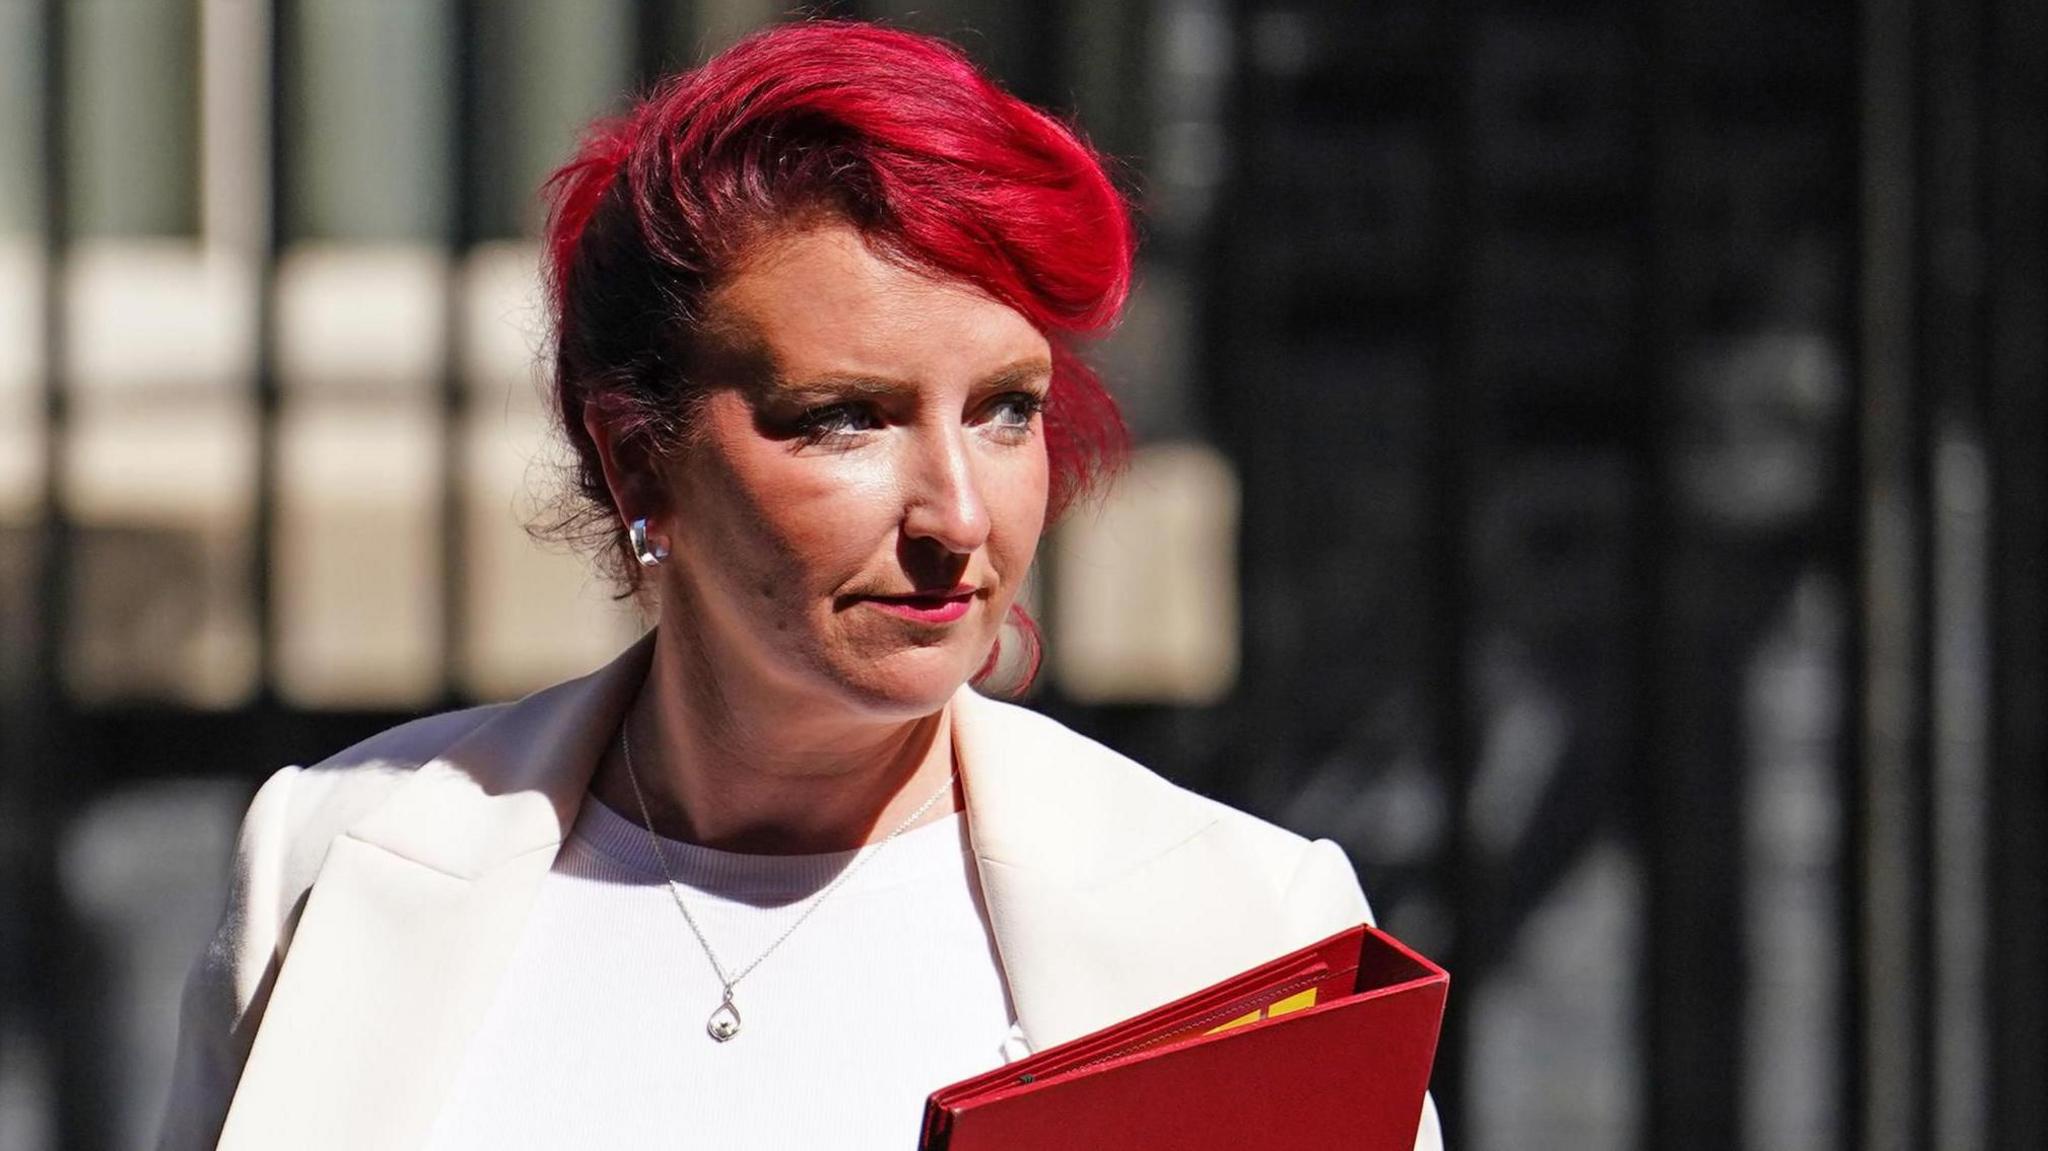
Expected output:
{"points": [[1594, 468]]}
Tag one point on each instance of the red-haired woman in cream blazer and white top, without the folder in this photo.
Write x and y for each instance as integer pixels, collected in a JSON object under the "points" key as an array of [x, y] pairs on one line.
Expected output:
{"points": [[777, 871]]}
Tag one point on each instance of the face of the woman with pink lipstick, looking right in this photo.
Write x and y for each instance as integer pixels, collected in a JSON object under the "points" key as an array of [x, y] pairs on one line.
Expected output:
{"points": [[867, 476]]}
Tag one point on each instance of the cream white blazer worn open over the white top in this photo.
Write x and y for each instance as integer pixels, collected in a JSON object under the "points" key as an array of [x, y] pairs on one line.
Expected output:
{"points": [[378, 898]]}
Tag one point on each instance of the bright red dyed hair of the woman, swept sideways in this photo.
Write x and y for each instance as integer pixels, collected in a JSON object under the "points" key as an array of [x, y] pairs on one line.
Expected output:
{"points": [[898, 134]]}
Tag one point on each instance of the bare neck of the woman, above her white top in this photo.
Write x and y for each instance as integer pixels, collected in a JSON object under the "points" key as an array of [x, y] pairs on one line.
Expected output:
{"points": [[771, 777]]}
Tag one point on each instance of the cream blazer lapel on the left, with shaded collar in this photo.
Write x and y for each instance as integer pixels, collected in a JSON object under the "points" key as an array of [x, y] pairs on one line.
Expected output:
{"points": [[413, 921]]}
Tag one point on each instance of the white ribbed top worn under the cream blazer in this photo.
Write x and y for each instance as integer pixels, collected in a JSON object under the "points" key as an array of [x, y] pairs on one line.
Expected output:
{"points": [[597, 1035]]}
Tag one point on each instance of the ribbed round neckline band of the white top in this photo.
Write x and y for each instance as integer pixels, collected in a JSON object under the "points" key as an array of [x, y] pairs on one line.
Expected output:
{"points": [[933, 849]]}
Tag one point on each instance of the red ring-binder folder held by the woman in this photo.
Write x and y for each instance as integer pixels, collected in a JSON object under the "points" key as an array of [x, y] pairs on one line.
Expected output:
{"points": [[1324, 1048]]}
